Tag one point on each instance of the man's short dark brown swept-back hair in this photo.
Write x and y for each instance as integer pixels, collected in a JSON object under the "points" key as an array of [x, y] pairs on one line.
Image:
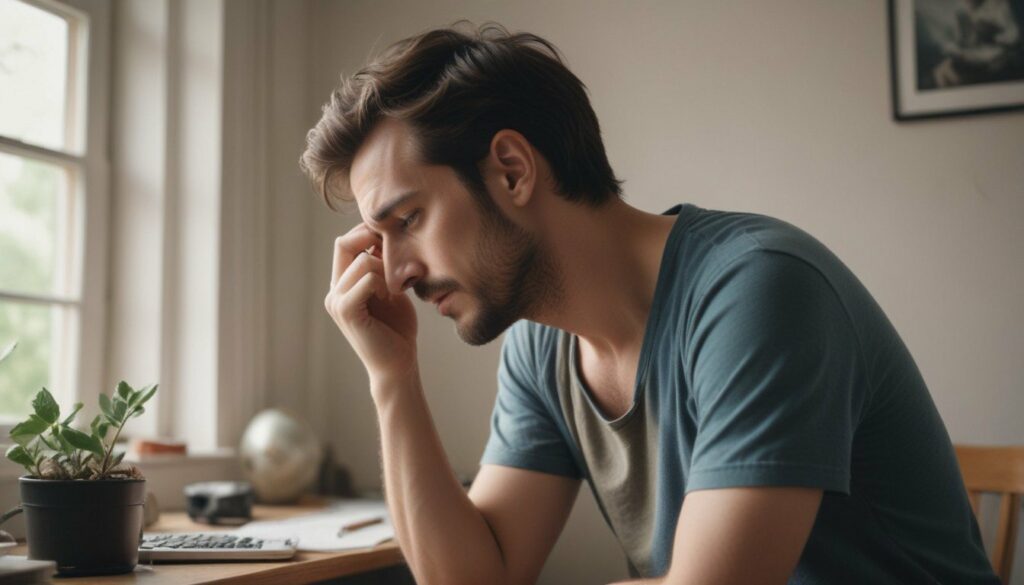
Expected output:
{"points": [[456, 90]]}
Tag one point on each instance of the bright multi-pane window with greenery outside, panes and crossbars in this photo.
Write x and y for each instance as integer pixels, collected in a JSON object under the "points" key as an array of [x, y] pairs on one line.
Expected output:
{"points": [[48, 169]]}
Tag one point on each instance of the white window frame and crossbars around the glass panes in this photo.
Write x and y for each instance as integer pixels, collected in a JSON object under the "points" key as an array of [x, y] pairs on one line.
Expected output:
{"points": [[79, 370]]}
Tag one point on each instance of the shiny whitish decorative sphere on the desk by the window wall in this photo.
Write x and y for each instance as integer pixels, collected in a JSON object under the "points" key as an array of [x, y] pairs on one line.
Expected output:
{"points": [[280, 456]]}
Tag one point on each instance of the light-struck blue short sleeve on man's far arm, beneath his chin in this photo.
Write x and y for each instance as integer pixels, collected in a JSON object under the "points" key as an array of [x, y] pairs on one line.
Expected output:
{"points": [[524, 433]]}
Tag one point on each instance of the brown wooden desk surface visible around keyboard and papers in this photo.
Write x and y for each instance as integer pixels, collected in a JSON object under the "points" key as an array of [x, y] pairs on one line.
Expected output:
{"points": [[305, 568]]}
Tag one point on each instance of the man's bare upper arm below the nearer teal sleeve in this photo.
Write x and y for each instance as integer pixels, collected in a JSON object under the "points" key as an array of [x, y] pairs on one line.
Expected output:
{"points": [[753, 536]]}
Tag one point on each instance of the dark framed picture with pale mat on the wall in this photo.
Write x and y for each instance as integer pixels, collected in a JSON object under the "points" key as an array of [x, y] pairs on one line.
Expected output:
{"points": [[953, 58]]}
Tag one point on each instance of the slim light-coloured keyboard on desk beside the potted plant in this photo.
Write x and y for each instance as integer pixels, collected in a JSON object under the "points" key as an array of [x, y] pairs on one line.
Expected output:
{"points": [[214, 547]]}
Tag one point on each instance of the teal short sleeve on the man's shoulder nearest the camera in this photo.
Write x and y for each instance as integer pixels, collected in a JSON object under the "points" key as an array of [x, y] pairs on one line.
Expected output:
{"points": [[777, 375]]}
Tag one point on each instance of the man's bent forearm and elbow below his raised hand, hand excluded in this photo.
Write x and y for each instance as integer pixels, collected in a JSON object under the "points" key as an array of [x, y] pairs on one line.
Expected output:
{"points": [[499, 534]]}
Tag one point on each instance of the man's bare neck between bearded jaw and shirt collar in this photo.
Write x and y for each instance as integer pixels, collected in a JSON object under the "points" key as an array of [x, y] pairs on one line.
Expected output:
{"points": [[610, 261]]}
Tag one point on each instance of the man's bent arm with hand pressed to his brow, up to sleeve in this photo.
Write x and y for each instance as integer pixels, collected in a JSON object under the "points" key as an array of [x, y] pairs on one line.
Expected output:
{"points": [[445, 538]]}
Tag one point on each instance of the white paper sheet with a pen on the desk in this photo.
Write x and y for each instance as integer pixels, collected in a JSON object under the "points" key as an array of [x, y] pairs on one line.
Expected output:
{"points": [[319, 531]]}
